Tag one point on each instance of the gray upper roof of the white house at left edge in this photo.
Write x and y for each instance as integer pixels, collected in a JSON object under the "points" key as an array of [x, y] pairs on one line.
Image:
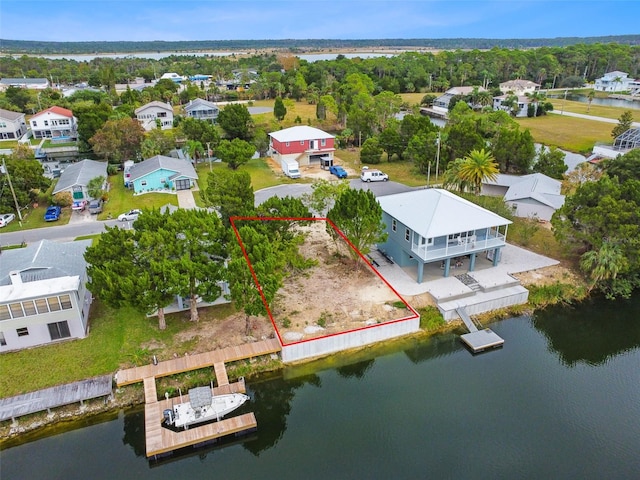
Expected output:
{"points": [[44, 260]]}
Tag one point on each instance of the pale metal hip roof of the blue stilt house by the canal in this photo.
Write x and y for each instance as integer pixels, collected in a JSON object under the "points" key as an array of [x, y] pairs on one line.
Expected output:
{"points": [[433, 212]]}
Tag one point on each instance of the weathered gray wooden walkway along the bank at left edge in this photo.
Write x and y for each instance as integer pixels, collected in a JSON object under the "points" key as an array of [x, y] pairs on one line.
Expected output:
{"points": [[13, 407]]}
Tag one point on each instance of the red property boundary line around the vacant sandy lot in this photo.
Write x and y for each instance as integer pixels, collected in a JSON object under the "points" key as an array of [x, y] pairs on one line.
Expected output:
{"points": [[351, 245]]}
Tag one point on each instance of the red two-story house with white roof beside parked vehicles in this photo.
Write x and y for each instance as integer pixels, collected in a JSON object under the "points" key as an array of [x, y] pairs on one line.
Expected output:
{"points": [[307, 145]]}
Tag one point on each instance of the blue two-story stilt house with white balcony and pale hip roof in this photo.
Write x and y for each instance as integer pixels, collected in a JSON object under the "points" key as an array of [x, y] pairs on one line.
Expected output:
{"points": [[434, 225]]}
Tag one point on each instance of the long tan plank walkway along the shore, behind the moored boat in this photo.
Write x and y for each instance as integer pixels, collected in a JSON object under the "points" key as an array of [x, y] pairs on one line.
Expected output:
{"points": [[199, 360]]}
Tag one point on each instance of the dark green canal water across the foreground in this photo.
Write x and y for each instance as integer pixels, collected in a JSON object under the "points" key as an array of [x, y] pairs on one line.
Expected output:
{"points": [[560, 400]]}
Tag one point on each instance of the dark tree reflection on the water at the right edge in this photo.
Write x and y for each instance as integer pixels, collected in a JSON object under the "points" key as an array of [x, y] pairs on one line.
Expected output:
{"points": [[592, 332]]}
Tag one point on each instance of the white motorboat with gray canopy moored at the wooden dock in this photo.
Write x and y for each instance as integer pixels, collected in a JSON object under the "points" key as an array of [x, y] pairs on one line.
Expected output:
{"points": [[203, 406]]}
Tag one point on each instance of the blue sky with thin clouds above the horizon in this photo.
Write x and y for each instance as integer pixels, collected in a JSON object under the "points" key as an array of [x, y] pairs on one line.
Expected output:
{"points": [[177, 20]]}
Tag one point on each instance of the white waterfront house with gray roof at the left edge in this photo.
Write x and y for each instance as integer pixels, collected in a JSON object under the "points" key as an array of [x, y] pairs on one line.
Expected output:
{"points": [[43, 294]]}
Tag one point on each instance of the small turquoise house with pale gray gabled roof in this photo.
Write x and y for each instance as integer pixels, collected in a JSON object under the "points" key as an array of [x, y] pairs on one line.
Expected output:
{"points": [[162, 173]]}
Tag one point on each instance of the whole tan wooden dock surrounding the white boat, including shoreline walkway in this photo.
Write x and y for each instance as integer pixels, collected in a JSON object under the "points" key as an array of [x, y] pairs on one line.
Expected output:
{"points": [[160, 440]]}
